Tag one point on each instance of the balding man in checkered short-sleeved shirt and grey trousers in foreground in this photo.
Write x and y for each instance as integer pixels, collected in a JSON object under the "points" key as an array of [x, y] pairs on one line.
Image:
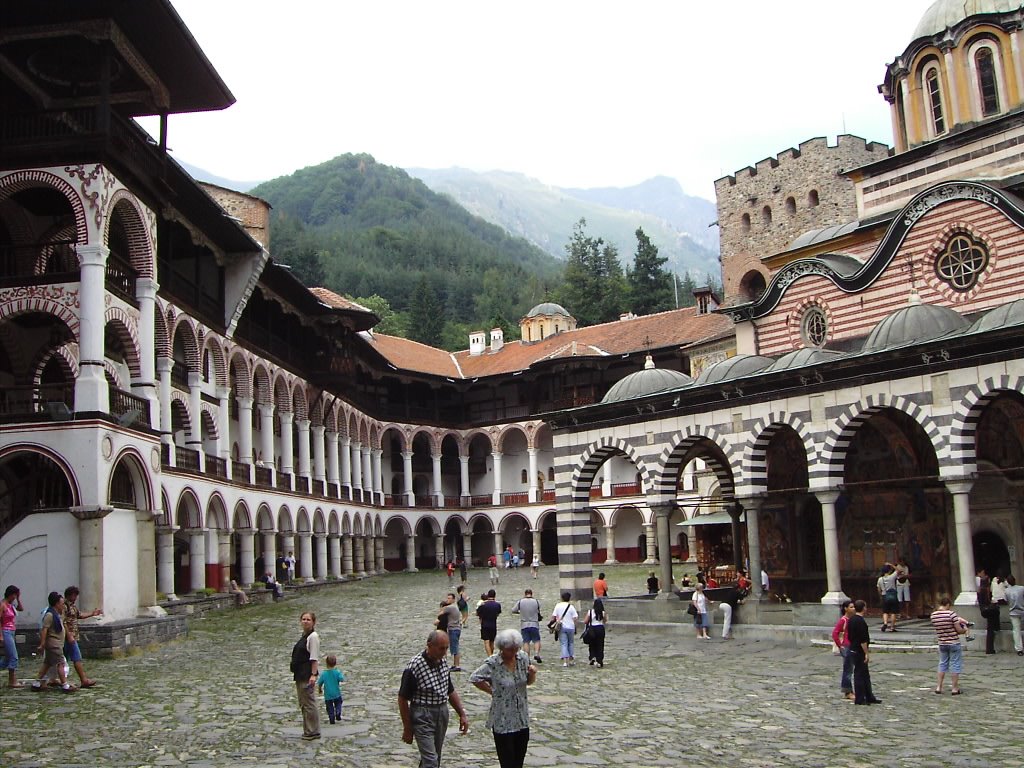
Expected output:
{"points": [[424, 697]]}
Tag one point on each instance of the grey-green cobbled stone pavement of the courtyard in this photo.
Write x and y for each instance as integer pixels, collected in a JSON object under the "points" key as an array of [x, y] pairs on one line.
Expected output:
{"points": [[224, 698]]}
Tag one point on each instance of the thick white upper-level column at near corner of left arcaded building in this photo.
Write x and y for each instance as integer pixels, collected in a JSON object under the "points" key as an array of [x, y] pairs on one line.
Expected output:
{"points": [[91, 387]]}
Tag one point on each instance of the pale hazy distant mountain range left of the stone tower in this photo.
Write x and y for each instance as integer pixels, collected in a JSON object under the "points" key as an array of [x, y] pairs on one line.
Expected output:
{"points": [[677, 224]]}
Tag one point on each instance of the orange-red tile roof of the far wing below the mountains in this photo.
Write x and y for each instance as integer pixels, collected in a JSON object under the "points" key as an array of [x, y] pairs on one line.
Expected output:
{"points": [[675, 328]]}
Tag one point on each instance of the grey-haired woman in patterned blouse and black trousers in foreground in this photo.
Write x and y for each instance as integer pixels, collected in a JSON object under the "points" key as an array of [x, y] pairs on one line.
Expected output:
{"points": [[504, 677]]}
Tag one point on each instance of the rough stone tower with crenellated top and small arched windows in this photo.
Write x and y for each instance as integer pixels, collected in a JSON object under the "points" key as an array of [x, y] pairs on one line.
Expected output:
{"points": [[763, 208]]}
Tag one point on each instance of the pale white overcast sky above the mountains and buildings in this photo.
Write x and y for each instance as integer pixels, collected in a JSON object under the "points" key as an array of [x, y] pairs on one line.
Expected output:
{"points": [[572, 94]]}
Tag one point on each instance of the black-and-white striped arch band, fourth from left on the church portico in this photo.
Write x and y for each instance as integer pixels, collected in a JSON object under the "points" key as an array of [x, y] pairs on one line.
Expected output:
{"points": [[833, 458]]}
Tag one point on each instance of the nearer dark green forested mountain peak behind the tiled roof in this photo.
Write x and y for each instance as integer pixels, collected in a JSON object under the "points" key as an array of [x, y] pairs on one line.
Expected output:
{"points": [[366, 230]]}
